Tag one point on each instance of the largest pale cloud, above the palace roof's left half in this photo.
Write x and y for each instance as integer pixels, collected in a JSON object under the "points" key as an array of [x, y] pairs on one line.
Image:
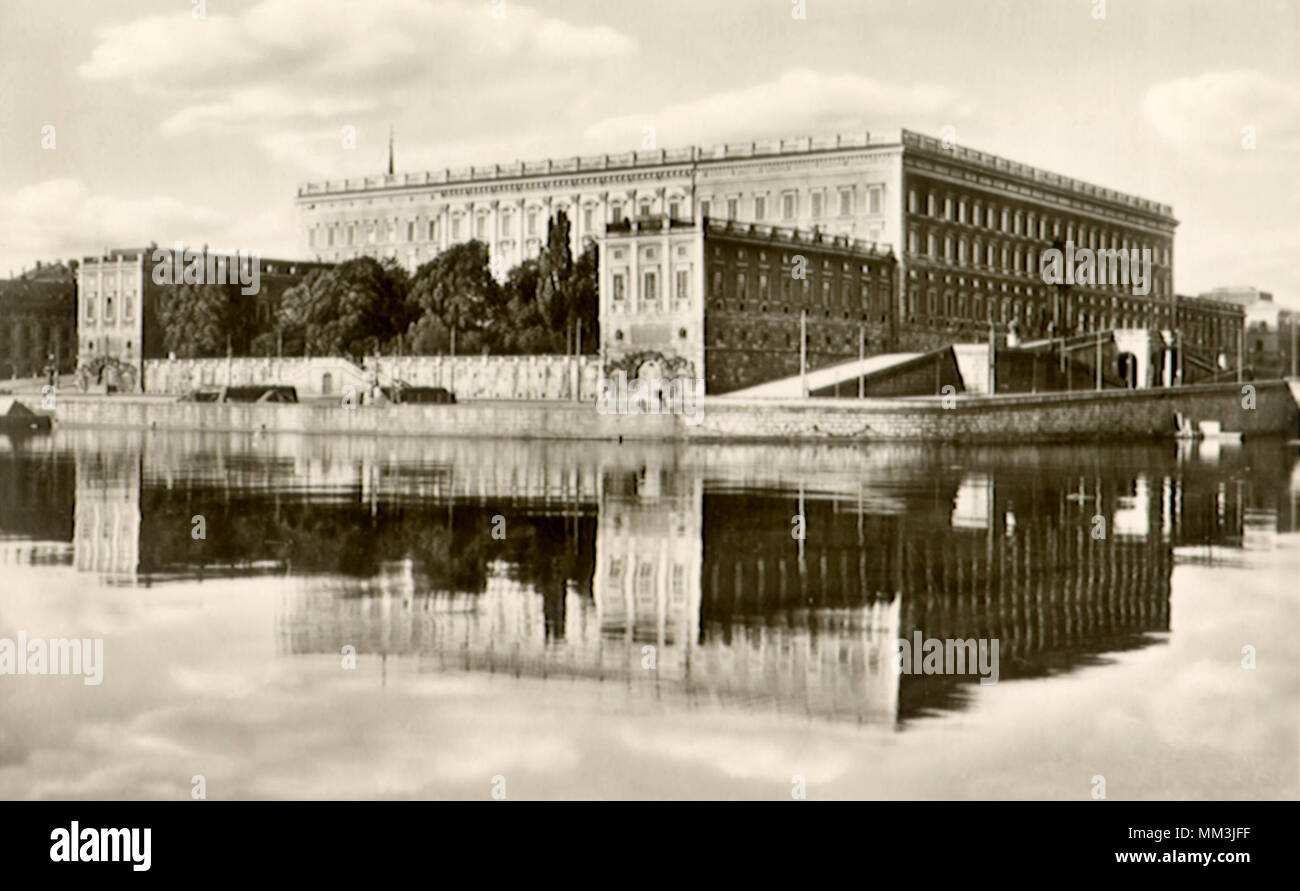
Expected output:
{"points": [[291, 73]]}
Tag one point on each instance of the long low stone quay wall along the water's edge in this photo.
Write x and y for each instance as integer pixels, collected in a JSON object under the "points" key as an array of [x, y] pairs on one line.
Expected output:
{"points": [[1026, 418]]}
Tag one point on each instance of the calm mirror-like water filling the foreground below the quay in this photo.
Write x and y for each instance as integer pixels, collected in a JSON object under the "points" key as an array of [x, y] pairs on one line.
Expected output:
{"points": [[504, 600]]}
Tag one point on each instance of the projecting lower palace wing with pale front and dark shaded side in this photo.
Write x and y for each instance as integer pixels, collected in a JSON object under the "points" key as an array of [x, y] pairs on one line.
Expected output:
{"points": [[738, 305]]}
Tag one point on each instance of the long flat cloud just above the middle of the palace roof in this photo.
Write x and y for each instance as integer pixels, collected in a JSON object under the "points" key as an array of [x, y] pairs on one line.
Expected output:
{"points": [[799, 102]]}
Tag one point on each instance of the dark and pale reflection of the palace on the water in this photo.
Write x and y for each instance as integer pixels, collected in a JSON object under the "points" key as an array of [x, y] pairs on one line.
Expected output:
{"points": [[671, 572]]}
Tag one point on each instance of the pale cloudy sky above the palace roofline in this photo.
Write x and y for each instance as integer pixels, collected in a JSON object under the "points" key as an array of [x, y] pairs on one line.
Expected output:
{"points": [[144, 120]]}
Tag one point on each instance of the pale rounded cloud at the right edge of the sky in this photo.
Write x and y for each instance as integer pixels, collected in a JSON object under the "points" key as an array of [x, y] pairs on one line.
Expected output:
{"points": [[1206, 116]]}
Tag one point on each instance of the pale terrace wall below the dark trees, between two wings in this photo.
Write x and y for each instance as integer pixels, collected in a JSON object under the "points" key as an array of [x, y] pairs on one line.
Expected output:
{"points": [[470, 378]]}
